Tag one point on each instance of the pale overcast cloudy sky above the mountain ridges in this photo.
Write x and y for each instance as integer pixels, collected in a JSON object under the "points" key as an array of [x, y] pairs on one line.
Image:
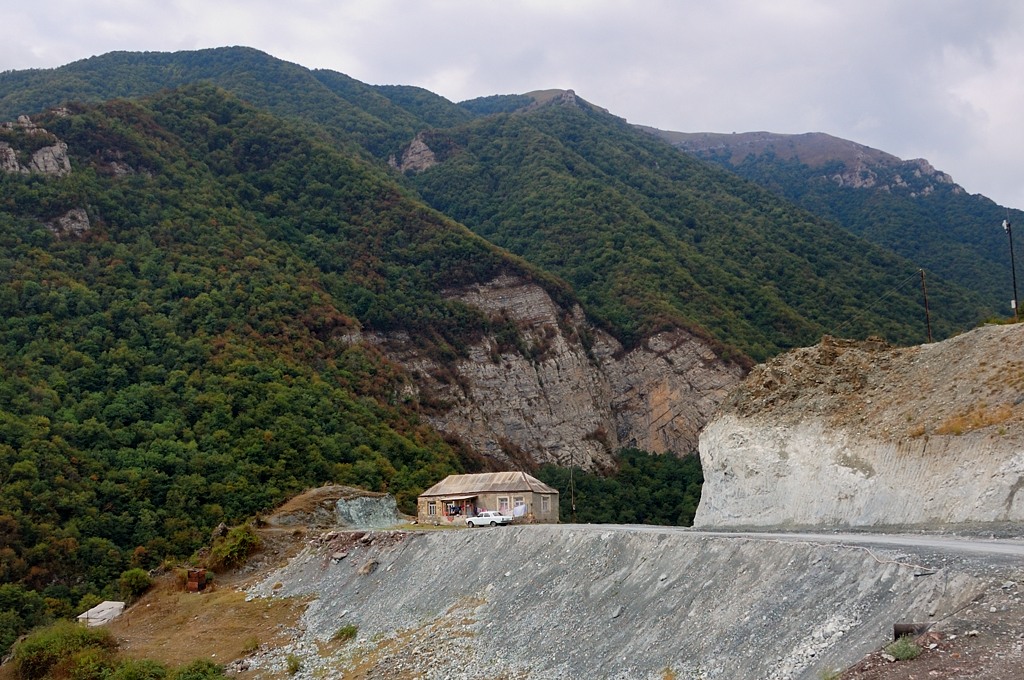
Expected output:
{"points": [[936, 79]]}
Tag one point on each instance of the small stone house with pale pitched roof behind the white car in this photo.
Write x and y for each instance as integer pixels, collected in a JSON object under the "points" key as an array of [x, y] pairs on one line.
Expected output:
{"points": [[517, 494]]}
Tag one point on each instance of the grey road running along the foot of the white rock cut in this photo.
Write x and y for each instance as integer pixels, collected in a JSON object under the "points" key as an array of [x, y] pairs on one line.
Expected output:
{"points": [[984, 548]]}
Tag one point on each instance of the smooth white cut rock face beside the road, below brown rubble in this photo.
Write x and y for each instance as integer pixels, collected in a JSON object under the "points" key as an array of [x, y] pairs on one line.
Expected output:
{"points": [[757, 474]]}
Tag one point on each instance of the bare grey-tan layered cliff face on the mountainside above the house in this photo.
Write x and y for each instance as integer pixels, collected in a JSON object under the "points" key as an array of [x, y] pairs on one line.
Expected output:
{"points": [[567, 402]]}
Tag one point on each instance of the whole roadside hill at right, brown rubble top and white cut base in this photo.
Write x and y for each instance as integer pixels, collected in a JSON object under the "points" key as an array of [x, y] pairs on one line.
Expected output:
{"points": [[864, 435]]}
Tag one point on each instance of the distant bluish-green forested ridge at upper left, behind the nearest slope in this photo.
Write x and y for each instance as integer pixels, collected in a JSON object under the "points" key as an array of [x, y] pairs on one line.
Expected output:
{"points": [[352, 112]]}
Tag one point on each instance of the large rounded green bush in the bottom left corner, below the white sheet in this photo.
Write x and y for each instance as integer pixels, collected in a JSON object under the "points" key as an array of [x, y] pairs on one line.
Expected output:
{"points": [[60, 645]]}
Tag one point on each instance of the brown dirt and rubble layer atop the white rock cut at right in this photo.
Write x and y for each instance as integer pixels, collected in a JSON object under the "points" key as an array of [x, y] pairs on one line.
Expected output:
{"points": [[971, 382]]}
